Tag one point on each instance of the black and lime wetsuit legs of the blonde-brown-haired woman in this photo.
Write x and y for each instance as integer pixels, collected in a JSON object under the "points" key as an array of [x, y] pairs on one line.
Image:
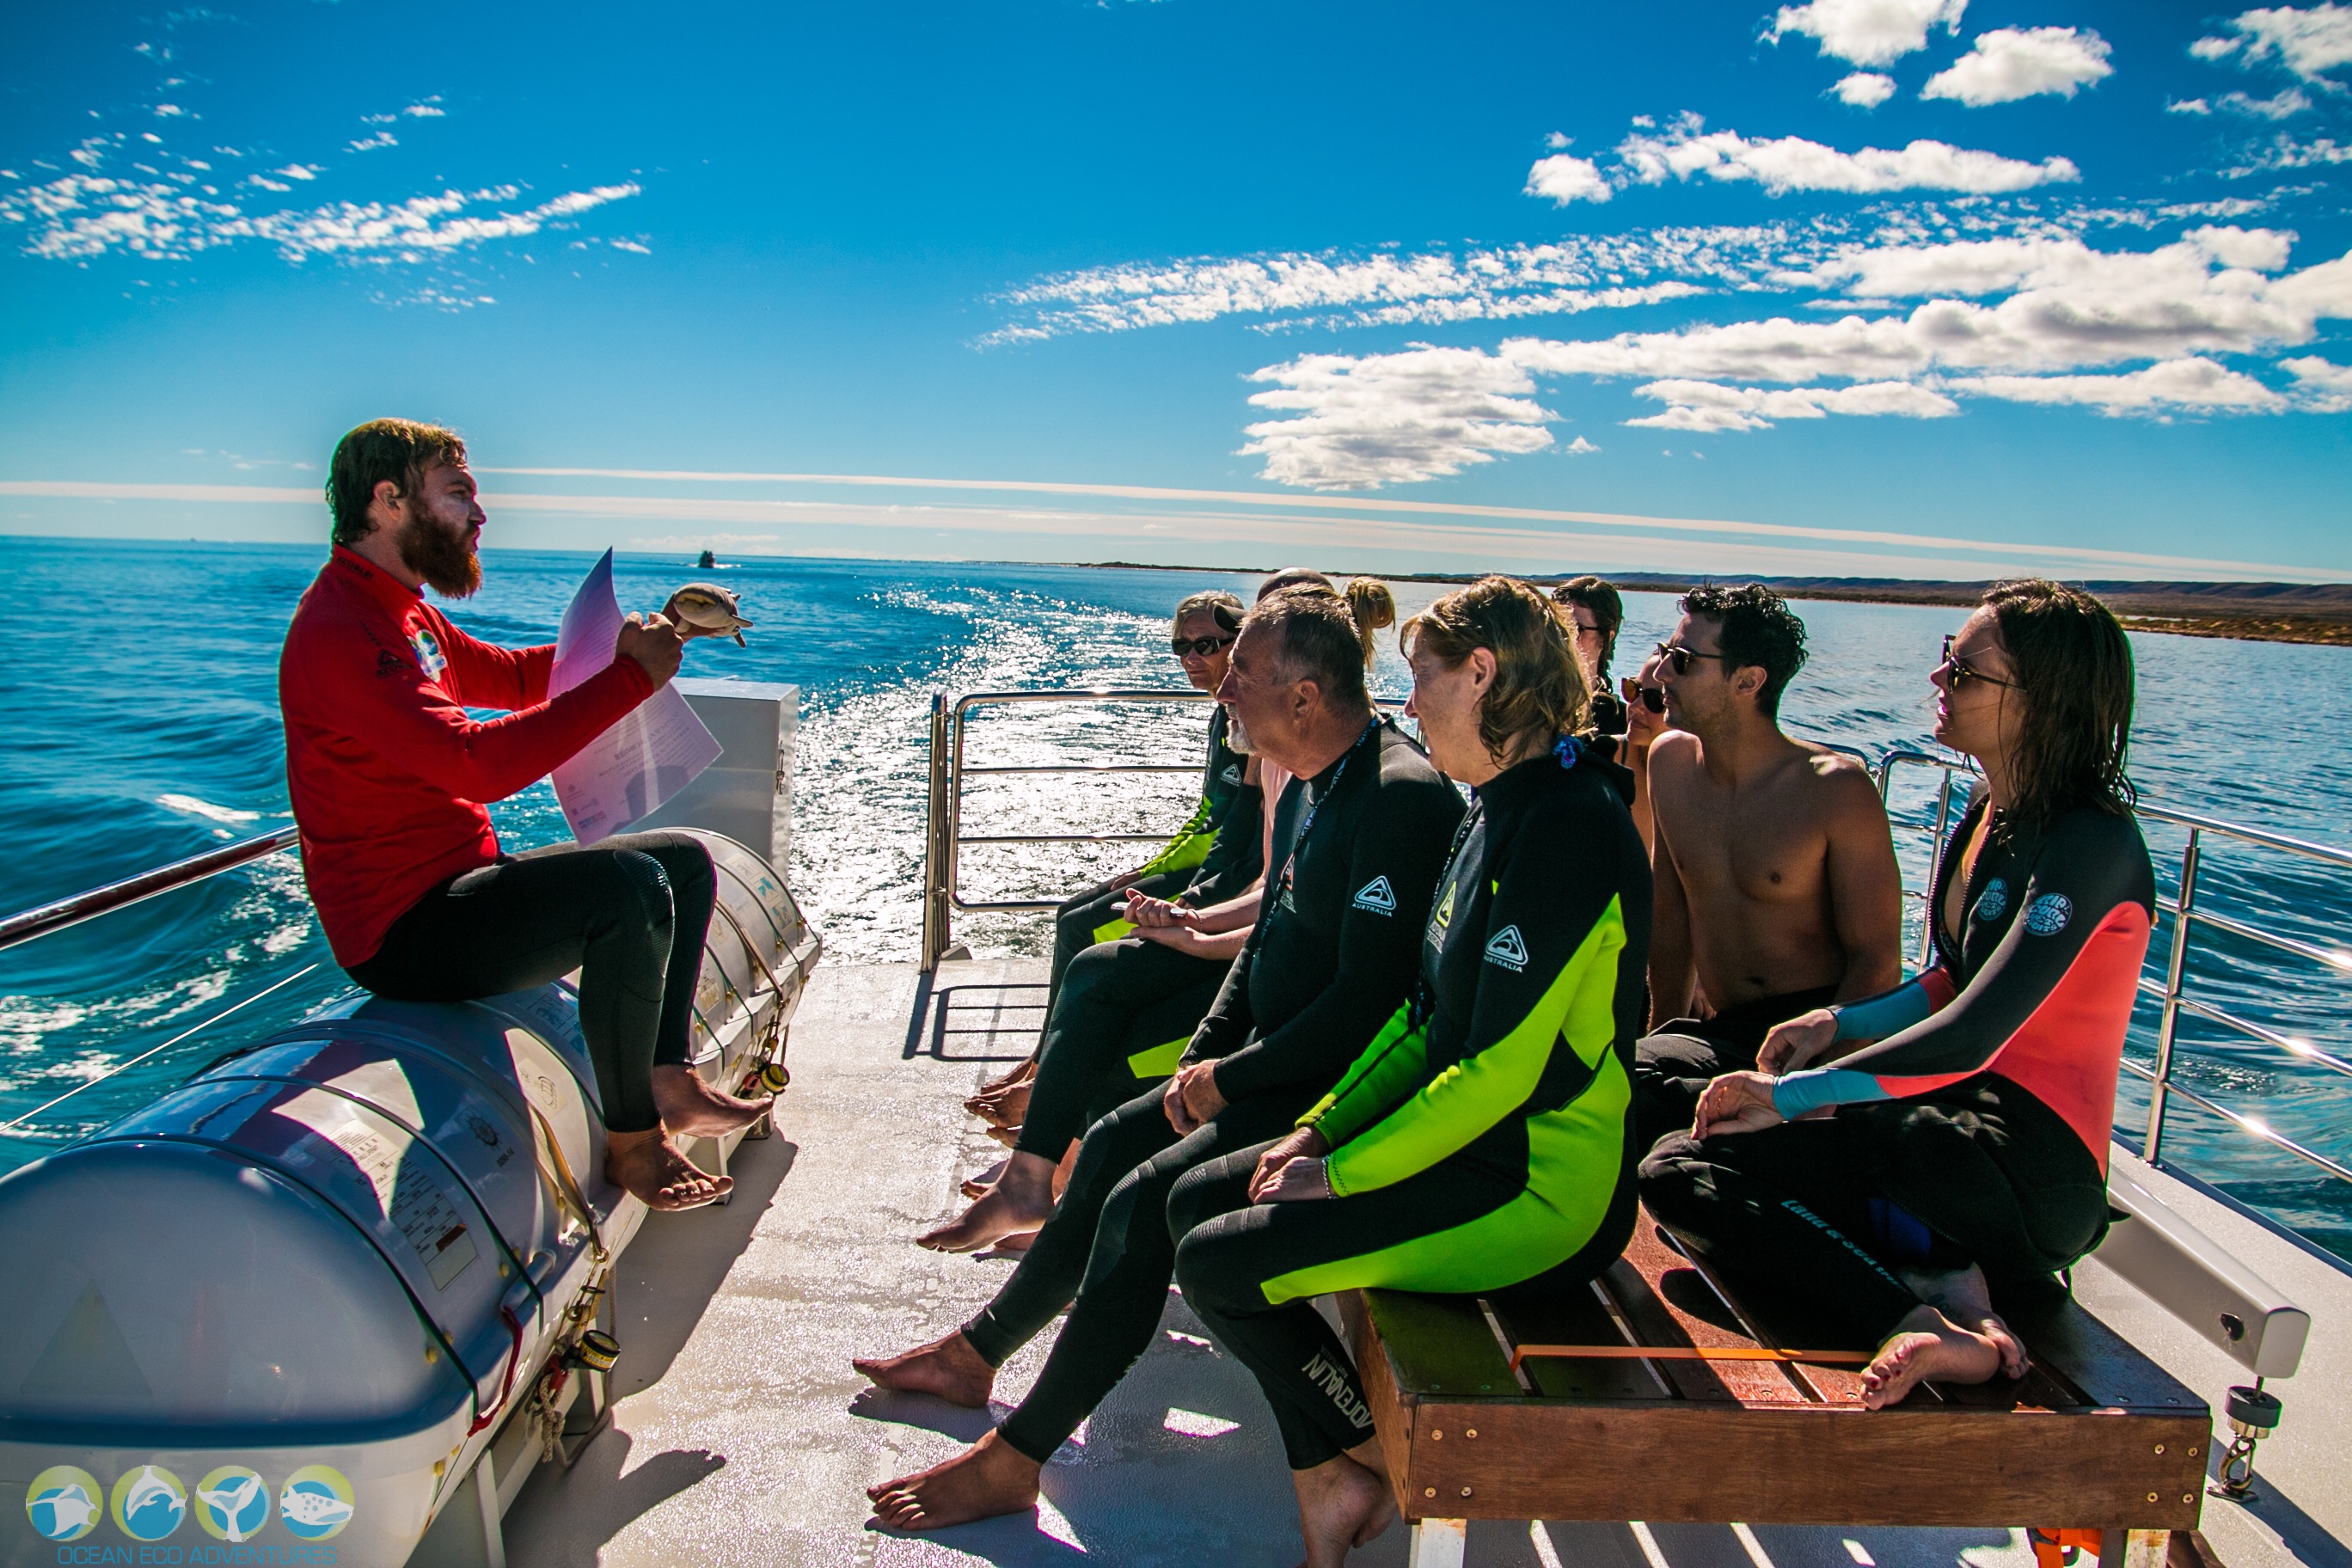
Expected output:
{"points": [[1252, 1271]]}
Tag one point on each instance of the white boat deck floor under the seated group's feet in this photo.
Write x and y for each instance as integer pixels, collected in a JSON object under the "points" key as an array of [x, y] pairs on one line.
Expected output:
{"points": [[744, 1438]]}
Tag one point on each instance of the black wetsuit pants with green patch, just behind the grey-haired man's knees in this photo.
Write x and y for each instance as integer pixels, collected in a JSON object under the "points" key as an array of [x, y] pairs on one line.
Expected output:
{"points": [[1123, 1017]]}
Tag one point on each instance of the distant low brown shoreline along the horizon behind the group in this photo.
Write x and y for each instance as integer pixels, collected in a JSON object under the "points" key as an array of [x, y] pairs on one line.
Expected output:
{"points": [[2245, 612]]}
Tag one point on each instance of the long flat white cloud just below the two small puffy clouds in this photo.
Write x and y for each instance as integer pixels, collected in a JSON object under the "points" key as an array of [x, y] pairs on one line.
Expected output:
{"points": [[1793, 163]]}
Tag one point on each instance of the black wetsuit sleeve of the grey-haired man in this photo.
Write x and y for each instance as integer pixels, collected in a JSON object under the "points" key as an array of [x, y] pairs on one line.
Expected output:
{"points": [[1403, 836]]}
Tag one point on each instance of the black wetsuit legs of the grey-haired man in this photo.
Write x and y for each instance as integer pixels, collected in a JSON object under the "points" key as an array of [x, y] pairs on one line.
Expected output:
{"points": [[1107, 1254]]}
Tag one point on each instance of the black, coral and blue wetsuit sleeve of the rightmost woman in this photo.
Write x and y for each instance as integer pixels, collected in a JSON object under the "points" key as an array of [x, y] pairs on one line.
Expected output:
{"points": [[2073, 951]]}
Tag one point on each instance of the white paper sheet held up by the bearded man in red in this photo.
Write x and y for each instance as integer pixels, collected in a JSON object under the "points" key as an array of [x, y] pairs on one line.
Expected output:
{"points": [[648, 756]]}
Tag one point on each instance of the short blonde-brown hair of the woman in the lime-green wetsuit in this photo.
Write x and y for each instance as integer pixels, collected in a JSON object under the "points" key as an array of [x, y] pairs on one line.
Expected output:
{"points": [[1537, 683]]}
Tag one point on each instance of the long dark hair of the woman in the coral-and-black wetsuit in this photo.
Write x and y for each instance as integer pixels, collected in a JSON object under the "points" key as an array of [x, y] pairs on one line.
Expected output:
{"points": [[2076, 676]]}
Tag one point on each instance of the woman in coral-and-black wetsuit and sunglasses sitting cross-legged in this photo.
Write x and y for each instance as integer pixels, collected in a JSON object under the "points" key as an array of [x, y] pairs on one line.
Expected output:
{"points": [[1953, 1146]]}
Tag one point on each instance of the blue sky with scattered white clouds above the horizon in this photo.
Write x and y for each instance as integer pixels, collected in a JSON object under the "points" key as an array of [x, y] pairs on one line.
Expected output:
{"points": [[1935, 288]]}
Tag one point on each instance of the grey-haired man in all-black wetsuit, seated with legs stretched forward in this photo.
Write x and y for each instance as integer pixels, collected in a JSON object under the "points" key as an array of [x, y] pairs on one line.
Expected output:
{"points": [[1332, 956]]}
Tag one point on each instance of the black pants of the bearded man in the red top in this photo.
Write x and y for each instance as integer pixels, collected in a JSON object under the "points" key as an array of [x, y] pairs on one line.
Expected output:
{"points": [[629, 913]]}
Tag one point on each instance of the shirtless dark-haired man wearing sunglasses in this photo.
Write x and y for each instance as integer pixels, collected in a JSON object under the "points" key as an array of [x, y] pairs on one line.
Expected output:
{"points": [[1775, 873]]}
